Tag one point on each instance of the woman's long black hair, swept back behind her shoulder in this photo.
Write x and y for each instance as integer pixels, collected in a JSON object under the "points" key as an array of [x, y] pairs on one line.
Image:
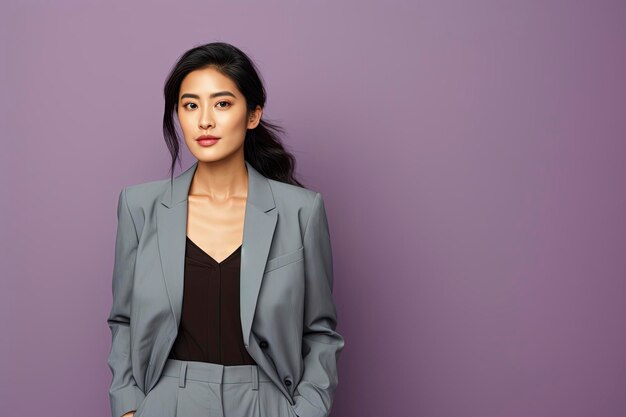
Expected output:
{"points": [[262, 146]]}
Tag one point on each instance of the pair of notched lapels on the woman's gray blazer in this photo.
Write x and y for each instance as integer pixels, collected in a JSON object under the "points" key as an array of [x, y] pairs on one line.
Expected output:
{"points": [[258, 231]]}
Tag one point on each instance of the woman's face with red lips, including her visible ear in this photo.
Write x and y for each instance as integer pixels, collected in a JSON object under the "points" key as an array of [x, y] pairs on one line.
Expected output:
{"points": [[209, 103]]}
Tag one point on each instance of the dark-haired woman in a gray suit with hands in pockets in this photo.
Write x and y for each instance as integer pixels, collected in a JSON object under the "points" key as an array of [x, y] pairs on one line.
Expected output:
{"points": [[222, 282]]}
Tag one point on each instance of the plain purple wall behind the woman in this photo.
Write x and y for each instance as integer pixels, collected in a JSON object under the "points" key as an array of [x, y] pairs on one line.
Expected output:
{"points": [[472, 159]]}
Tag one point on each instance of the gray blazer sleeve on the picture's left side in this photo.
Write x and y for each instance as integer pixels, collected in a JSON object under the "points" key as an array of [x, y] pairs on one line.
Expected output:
{"points": [[124, 394]]}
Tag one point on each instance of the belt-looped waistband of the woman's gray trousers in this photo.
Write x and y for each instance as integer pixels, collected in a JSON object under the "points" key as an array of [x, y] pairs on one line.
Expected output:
{"points": [[213, 372]]}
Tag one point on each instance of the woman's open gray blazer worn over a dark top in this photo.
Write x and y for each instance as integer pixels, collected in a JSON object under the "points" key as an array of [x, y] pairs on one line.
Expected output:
{"points": [[286, 289]]}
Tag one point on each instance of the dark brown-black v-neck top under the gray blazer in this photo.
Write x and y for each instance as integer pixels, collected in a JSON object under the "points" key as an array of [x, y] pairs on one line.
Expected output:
{"points": [[210, 324]]}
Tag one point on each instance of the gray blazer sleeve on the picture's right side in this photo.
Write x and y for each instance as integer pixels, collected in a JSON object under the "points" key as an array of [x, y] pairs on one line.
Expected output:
{"points": [[321, 344]]}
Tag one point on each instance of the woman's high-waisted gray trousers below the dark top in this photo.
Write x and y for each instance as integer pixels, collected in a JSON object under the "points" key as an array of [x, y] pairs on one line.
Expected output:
{"points": [[202, 389]]}
